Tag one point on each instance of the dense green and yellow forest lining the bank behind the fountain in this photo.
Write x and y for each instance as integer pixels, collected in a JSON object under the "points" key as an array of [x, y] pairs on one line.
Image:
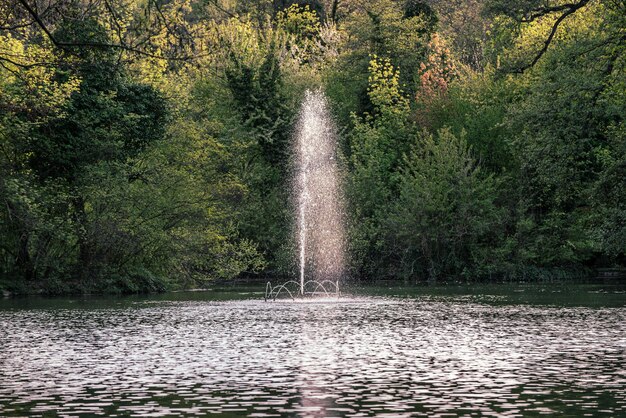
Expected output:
{"points": [[145, 144]]}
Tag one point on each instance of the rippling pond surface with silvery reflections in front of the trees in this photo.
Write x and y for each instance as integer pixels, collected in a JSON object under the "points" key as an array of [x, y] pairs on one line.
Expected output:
{"points": [[358, 357]]}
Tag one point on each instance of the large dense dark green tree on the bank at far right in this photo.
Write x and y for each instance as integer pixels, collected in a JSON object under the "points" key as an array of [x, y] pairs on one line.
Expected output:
{"points": [[560, 130]]}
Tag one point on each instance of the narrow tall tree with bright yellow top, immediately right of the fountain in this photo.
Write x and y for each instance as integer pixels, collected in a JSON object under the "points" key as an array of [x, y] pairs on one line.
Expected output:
{"points": [[376, 146]]}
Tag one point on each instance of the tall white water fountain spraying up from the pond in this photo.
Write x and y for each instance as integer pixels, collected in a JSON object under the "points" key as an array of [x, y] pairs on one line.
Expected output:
{"points": [[319, 201]]}
